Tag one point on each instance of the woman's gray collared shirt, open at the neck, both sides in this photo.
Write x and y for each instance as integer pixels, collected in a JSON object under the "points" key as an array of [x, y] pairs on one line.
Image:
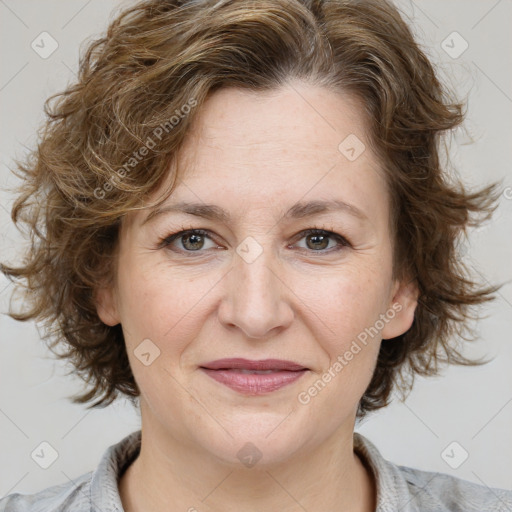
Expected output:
{"points": [[399, 488]]}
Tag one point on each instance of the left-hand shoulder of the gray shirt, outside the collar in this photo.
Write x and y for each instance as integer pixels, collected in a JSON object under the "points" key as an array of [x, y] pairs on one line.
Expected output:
{"points": [[68, 496]]}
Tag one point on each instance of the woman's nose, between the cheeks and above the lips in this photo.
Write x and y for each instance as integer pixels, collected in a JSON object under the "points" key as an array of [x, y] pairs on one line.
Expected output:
{"points": [[256, 298]]}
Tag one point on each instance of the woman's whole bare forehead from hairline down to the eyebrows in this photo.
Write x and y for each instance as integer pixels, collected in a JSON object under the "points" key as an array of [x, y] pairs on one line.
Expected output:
{"points": [[269, 150]]}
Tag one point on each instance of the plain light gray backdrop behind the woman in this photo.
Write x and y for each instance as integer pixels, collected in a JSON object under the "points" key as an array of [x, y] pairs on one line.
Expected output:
{"points": [[472, 406]]}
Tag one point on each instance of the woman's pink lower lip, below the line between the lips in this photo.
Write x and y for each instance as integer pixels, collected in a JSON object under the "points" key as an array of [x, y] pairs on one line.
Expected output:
{"points": [[254, 383]]}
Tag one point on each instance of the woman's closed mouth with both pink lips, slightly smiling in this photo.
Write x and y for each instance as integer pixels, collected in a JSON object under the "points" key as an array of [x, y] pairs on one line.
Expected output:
{"points": [[251, 377]]}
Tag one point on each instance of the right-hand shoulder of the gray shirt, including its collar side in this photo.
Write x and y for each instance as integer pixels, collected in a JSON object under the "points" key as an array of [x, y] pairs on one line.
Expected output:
{"points": [[411, 490]]}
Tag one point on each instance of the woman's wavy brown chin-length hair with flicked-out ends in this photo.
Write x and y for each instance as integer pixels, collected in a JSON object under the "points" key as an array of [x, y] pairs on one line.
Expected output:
{"points": [[110, 137]]}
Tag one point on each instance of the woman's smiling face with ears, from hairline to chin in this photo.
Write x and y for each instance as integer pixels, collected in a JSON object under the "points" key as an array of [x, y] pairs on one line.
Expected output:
{"points": [[256, 283]]}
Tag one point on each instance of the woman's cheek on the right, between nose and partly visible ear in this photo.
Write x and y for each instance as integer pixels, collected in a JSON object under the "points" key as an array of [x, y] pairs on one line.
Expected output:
{"points": [[347, 309]]}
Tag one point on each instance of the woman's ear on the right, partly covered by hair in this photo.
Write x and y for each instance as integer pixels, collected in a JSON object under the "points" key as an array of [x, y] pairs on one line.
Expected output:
{"points": [[403, 304]]}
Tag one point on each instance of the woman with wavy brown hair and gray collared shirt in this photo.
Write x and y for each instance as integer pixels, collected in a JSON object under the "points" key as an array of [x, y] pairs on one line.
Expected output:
{"points": [[240, 220]]}
